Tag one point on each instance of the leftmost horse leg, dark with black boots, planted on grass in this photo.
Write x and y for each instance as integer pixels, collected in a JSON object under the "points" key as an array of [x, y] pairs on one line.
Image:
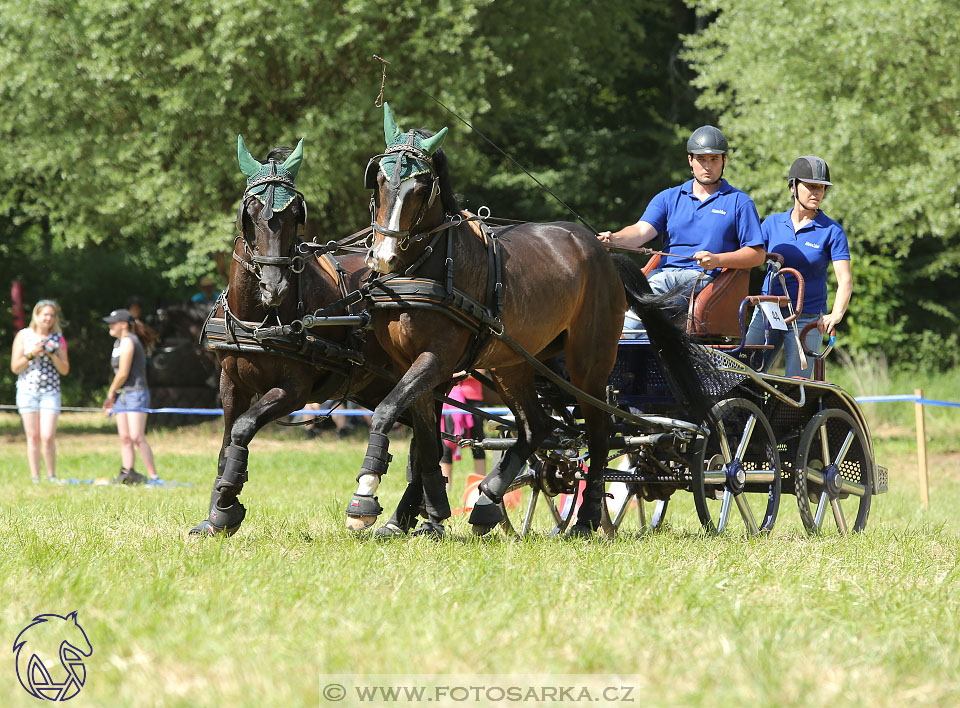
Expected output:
{"points": [[227, 513]]}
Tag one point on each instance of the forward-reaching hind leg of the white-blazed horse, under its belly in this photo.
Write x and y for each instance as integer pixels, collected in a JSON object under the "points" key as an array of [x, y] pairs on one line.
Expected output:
{"points": [[516, 385]]}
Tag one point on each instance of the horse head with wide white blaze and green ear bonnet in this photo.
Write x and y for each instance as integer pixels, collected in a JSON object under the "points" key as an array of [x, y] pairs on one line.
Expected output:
{"points": [[406, 180]]}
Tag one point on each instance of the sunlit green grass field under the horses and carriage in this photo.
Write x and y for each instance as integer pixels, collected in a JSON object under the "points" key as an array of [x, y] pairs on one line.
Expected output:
{"points": [[255, 620]]}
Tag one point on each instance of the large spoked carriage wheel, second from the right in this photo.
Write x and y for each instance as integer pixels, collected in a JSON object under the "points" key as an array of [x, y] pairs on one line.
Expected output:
{"points": [[737, 466]]}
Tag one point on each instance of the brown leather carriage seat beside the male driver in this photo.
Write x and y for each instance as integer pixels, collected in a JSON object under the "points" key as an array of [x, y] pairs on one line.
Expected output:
{"points": [[715, 310]]}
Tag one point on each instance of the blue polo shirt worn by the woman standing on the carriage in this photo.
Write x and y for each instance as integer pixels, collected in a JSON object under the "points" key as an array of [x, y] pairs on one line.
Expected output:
{"points": [[810, 250]]}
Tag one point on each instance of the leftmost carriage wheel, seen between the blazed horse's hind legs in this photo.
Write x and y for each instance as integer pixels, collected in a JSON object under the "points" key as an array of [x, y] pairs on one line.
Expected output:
{"points": [[539, 502]]}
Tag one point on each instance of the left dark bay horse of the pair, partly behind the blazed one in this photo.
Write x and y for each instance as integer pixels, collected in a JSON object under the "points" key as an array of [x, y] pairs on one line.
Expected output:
{"points": [[273, 284]]}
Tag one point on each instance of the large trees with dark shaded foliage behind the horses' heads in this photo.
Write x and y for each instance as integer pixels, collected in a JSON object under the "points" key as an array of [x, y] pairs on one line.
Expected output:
{"points": [[119, 119]]}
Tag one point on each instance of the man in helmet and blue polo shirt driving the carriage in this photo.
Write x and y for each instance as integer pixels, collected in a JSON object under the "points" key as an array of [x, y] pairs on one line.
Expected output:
{"points": [[706, 223]]}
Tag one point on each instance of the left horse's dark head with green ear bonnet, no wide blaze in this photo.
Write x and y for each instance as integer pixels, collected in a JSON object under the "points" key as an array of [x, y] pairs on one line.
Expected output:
{"points": [[271, 220]]}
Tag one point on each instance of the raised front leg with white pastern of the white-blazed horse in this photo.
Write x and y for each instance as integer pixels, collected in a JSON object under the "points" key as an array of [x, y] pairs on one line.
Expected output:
{"points": [[421, 378]]}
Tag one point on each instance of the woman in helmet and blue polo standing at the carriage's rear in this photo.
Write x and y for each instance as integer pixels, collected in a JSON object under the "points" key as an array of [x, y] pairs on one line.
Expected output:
{"points": [[808, 240]]}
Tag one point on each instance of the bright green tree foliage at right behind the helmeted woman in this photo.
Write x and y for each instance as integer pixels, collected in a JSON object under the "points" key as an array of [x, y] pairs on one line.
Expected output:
{"points": [[873, 88]]}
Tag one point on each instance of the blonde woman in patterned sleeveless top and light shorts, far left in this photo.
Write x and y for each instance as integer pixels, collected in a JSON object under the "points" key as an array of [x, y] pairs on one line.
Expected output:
{"points": [[39, 358]]}
